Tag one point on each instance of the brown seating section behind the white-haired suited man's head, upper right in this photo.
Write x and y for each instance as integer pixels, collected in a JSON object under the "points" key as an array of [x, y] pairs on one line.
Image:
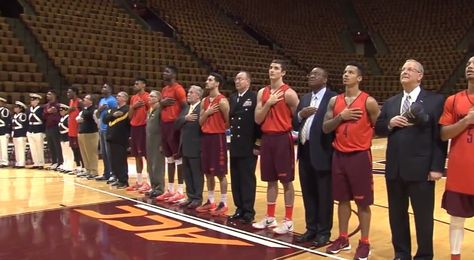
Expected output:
{"points": [[423, 30]]}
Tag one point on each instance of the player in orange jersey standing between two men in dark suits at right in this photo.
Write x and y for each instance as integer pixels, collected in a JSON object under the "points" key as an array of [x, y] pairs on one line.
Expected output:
{"points": [[352, 115]]}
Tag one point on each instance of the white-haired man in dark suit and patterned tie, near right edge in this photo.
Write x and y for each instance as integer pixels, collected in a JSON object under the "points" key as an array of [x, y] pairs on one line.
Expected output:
{"points": [[415, 159]]}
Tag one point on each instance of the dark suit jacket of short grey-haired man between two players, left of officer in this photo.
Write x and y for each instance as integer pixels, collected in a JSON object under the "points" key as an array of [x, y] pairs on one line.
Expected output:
{"points": [[190, 139]]}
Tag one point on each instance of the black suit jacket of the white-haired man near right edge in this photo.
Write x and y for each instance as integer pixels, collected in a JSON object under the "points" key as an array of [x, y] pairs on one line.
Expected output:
{"points": [[413, 151]]}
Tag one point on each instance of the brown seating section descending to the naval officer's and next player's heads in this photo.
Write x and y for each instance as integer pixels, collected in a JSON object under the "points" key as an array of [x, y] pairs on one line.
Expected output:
{"points": [[225, 45]]}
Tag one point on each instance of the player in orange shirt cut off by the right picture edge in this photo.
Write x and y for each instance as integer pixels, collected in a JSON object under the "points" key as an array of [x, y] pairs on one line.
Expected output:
{"points": [[458, 124]]}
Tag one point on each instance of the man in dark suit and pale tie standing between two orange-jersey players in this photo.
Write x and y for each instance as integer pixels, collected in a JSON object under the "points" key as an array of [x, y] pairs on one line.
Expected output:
{"points": [[314, 155]]}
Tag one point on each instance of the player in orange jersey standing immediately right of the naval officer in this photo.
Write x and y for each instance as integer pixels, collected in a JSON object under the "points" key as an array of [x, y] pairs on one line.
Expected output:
{"points": [[276, 105]]}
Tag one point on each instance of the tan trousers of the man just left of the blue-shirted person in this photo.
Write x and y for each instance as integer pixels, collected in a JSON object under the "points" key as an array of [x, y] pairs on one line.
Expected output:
{"points": [[88, 144]]}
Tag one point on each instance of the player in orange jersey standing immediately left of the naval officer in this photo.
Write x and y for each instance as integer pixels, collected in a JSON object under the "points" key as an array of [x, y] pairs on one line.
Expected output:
{"points": [[214, 119]]}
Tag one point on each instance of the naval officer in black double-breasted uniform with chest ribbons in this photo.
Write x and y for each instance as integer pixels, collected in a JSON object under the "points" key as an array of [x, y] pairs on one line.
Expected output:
{"points": [[243, 158]]}
